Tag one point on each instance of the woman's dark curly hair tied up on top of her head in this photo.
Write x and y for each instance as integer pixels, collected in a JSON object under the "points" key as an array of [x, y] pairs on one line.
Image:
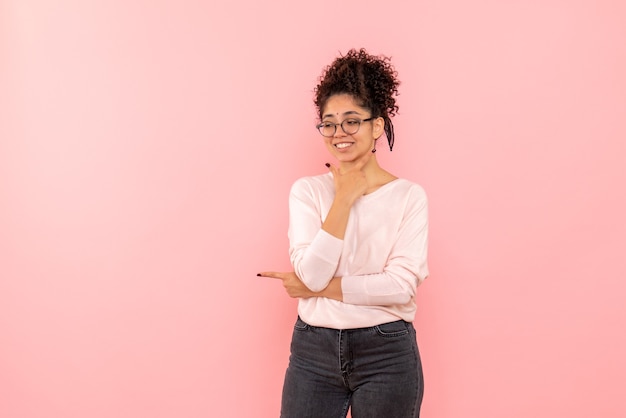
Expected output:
{"points": [[371, 80]]}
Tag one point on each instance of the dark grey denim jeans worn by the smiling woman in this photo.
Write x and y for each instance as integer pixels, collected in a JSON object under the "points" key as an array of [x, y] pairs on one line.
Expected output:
{"points": [[376, 371]]}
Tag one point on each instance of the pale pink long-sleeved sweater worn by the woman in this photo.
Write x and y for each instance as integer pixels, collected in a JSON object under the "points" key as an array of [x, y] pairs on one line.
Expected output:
{"points": [[382, 258]]}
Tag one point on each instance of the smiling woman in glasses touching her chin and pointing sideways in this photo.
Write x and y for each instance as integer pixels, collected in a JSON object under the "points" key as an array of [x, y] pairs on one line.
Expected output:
{"points": [[358, 244]]}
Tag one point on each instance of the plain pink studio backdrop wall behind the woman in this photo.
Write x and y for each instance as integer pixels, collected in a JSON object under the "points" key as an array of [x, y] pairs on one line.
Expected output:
{"points": [[146, 154]]}
